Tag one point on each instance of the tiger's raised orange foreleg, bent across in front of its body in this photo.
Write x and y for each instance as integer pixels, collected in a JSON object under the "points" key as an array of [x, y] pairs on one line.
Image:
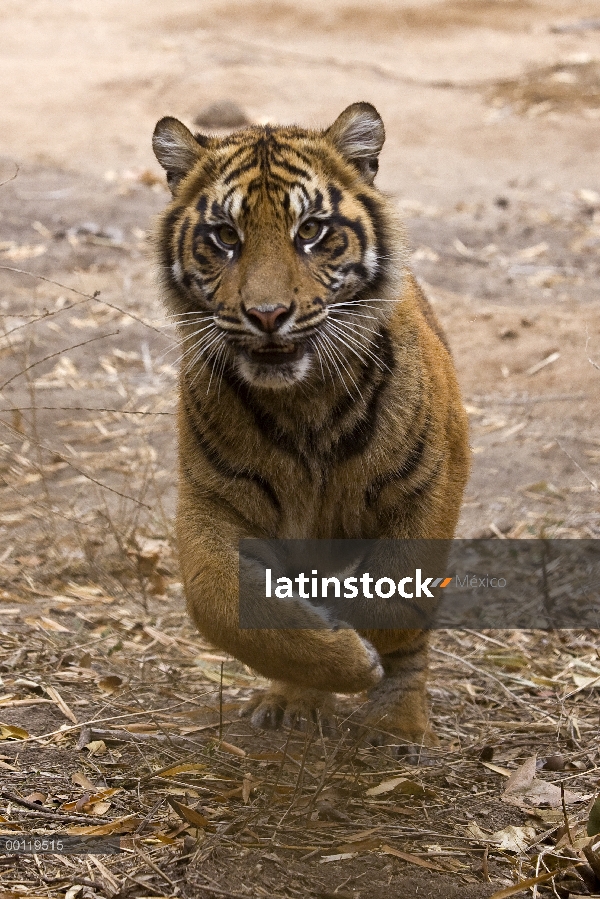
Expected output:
{"points": [[300, 649]]}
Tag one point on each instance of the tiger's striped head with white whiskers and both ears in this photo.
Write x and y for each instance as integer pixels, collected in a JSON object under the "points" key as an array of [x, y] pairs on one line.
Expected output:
{"points": [[279, 257]]}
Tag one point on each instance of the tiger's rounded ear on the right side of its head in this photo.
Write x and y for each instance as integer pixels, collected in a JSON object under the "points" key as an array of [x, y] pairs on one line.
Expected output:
{"points": [[358, 134]]}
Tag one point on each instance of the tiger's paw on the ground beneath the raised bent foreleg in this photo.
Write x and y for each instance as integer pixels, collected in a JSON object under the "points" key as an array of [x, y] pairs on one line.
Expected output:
{"points": [[286, 705]]}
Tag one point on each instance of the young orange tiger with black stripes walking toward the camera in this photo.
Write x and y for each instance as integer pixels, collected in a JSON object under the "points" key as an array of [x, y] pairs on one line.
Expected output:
{"points": [[317, 397]]}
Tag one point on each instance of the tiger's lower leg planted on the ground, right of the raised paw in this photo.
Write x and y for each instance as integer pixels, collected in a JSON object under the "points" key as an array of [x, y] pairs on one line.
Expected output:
{"points": [[397, 709]]}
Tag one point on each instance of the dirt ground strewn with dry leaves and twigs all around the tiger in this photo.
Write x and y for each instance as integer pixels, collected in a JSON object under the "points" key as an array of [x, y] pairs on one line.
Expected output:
{"points": [[110, 708]]}
